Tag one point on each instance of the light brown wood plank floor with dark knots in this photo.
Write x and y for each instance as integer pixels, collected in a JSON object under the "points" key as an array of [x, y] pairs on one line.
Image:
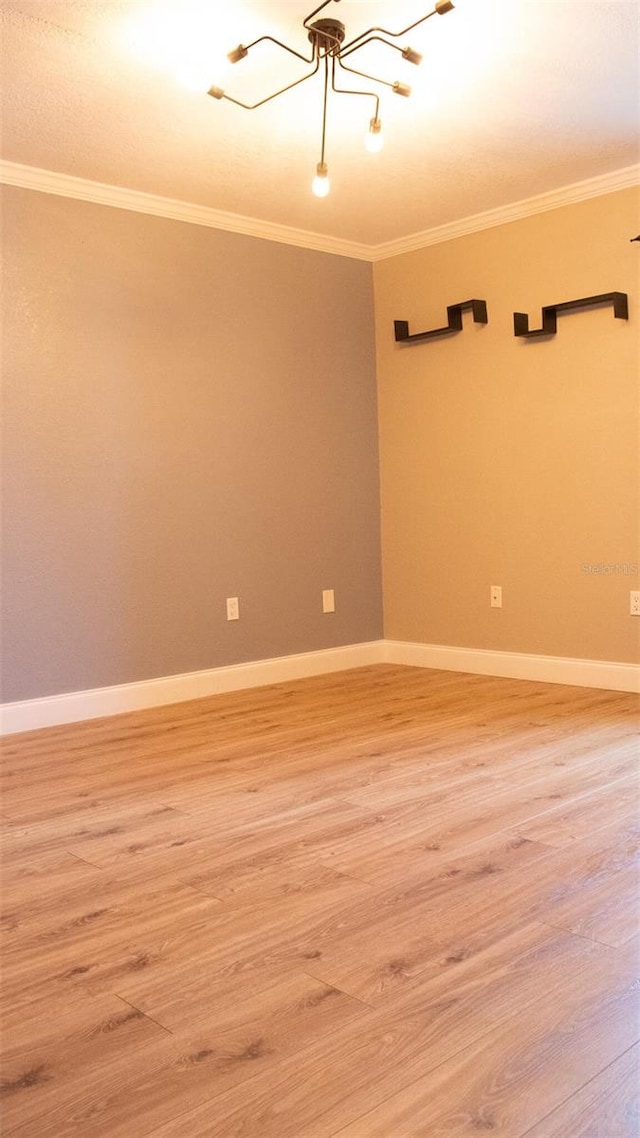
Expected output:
{"points": [[384, 904]]}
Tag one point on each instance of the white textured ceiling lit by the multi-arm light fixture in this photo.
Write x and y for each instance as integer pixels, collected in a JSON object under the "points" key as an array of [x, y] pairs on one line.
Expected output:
{"points": [[515, 98]]}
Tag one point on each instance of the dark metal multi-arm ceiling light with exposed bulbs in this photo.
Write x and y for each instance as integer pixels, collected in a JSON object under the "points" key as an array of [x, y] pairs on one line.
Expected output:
{"points": [[329, 53]]}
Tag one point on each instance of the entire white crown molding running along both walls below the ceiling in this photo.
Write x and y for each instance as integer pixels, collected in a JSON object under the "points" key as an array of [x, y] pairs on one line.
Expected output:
{"points": [[47, 182]]}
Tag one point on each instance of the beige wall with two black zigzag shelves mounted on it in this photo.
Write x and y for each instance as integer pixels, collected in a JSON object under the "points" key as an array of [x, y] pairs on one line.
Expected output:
{"points": [[514, 463]]}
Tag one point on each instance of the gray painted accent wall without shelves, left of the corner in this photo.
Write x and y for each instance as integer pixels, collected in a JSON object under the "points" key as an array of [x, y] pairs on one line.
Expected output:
{"points": [[188, 415]]}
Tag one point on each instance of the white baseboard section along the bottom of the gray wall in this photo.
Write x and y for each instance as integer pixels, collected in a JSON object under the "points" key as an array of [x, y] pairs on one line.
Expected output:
{"points": [[72, 707]]}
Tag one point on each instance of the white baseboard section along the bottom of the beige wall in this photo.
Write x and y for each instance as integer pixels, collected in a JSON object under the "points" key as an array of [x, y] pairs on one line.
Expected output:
{"points": [[548, 670]]}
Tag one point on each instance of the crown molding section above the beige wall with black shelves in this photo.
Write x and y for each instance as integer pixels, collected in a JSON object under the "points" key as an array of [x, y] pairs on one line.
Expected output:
{"points": [[554, 200]]}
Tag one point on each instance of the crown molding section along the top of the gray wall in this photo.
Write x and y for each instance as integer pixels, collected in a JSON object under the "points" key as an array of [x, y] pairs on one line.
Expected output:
{"points": [[68, 186]]}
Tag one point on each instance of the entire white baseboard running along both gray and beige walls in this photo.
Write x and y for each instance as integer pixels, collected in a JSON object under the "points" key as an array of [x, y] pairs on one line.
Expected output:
{"points": [[73, 707]]}
